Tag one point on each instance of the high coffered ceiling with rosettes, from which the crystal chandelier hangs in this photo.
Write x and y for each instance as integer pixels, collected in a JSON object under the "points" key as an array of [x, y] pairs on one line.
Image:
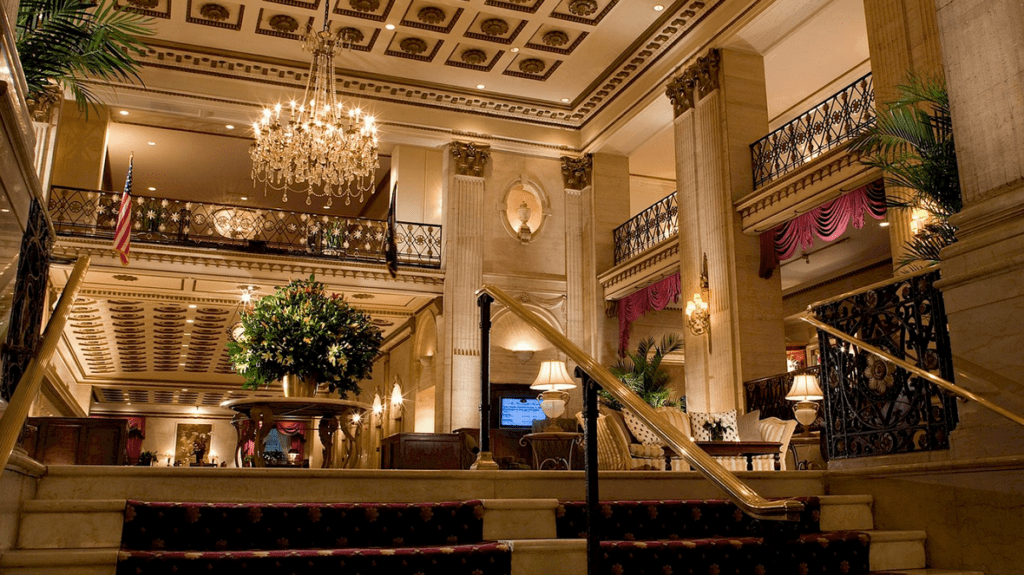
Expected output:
{"points": [[546, 62]]}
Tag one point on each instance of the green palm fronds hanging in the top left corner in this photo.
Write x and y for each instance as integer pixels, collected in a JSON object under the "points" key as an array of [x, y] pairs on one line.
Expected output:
{"points": [[62, 43]]}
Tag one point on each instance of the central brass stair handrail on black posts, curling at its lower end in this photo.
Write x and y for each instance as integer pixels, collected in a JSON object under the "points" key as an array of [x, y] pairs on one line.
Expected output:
{"points": [[739, 493]]}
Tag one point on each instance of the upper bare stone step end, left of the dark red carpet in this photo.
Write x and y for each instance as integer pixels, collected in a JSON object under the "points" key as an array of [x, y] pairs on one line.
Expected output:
{"points": [[71, 524]]}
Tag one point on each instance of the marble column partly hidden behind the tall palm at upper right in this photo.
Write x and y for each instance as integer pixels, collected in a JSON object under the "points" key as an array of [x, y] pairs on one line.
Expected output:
{"points": [[904, 41]]}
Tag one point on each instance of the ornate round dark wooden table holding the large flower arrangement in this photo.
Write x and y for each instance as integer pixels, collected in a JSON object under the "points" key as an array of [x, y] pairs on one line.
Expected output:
{"points": [[264, 411]]}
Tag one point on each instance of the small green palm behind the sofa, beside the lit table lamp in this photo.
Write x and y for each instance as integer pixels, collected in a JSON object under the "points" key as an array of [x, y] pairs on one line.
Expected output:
{"points": [[642, 372]]}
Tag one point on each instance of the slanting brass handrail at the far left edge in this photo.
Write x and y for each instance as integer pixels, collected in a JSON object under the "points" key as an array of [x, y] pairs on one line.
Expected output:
{"points": [[28, 387]]}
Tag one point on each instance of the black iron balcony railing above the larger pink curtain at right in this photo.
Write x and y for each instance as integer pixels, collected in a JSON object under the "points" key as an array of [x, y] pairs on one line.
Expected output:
{"points": [[825, 127]]}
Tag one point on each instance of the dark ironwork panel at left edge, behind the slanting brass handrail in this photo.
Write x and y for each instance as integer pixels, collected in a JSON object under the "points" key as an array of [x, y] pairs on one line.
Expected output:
{"points": [[29, 302]]}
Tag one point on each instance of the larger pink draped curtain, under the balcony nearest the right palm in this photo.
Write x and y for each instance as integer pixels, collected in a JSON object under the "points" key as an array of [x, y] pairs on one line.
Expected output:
{"points": [[827, 223]]}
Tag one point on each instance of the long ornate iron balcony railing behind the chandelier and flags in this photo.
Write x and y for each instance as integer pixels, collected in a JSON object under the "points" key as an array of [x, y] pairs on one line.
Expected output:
{"points": [[91, 213]]}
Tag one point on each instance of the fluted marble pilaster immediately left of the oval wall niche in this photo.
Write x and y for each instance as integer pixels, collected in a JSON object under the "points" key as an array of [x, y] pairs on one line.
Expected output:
{"points": [[463, 277]]}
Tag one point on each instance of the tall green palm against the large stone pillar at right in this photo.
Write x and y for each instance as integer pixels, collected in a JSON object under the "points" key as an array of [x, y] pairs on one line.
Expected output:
{"points": [[913, 143]]}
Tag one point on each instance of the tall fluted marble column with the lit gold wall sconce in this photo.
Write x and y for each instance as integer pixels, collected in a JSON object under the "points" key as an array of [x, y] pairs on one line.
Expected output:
{"points": [[720, 108]]}
